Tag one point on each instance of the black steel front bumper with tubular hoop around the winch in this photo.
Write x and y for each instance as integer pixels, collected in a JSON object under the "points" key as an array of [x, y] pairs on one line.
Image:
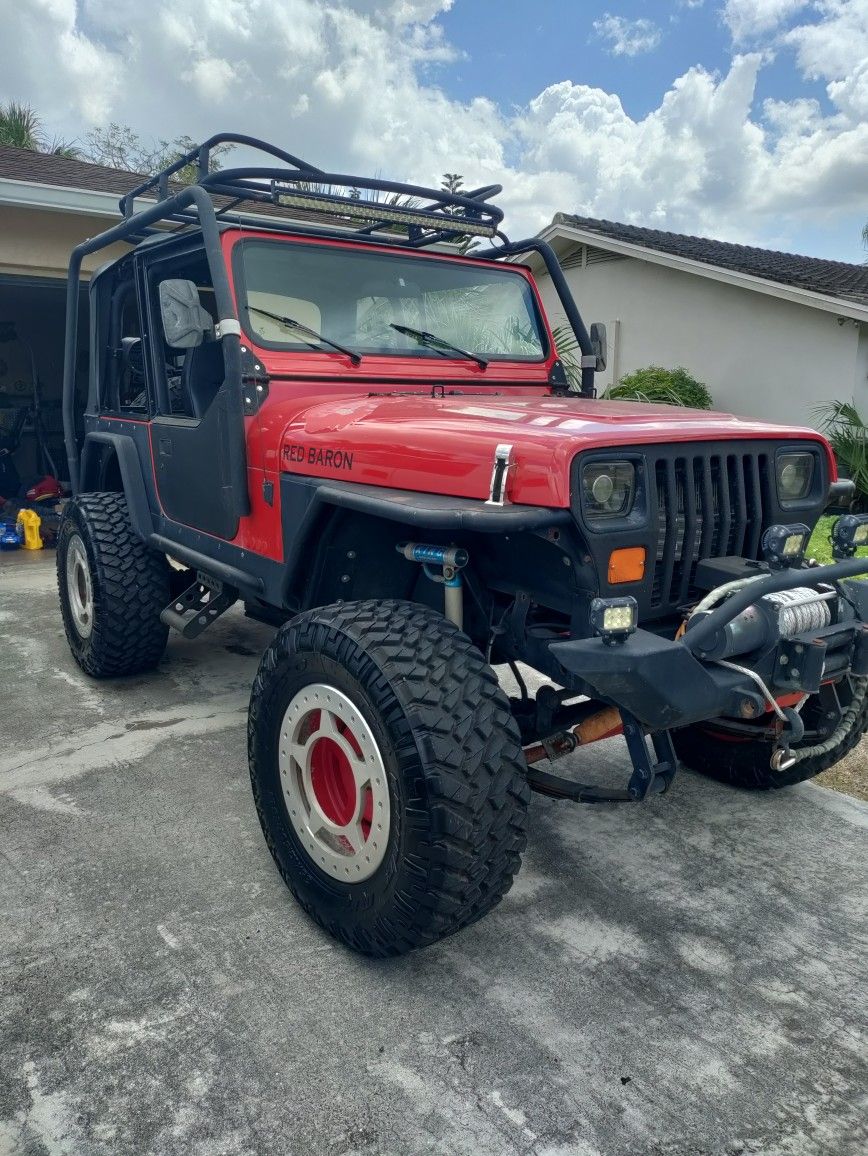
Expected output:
{"points": [[669, 684]]}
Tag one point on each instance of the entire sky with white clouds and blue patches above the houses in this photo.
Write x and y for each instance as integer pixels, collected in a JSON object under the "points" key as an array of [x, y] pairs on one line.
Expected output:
{"points": [[745, 120]]}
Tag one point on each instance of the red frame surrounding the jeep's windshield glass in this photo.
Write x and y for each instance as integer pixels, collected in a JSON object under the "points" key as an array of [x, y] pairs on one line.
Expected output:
{"points": [[418, 355]]}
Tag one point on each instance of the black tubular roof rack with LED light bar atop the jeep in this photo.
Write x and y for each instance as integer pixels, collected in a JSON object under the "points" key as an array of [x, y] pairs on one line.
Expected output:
{"points": [[411, 214]]}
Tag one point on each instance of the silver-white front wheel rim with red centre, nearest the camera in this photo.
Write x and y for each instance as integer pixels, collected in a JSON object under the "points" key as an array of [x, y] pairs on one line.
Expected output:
{"points": [[335, 783]]}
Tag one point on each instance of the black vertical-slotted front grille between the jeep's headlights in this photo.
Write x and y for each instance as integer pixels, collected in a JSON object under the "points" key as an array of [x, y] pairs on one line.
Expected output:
{"points": [[708, 506]]}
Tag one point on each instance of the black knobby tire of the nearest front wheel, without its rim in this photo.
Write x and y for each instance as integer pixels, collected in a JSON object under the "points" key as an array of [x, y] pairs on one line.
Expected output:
{"points": [[452, 755]]}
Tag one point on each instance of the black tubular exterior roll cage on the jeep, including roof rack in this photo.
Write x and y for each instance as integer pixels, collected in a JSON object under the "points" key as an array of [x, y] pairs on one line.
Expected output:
{"points": [[440, 220]]}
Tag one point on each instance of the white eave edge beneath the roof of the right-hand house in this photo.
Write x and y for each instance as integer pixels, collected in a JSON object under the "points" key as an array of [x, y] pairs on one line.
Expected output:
{"points": [[839, 306]]}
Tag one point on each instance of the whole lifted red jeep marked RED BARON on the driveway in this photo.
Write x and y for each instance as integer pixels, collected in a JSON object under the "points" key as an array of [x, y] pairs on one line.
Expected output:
{"points": [[322, 407]]}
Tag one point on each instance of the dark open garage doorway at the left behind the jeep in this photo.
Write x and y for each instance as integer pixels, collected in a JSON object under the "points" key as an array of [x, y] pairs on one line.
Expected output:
{"points": [[32, 372]]}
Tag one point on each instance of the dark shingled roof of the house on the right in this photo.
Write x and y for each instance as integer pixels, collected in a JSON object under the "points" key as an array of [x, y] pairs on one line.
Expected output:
{"points": [[833, 279]]}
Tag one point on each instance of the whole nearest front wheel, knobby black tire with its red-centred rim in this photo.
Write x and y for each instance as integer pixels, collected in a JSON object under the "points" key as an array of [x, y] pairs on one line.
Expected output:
{"points": [[388, 774]]}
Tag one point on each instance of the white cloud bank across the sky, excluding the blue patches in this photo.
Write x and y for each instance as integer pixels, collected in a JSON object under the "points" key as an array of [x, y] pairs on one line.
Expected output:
{"points": [[352, 85]]}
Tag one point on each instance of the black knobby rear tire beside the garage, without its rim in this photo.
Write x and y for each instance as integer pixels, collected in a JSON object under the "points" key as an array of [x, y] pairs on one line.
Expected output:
{"points": [[131, 586]]}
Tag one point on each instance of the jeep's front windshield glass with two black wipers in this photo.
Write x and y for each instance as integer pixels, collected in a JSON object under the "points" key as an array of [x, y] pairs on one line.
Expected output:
{"points": [[372, 303]]}
